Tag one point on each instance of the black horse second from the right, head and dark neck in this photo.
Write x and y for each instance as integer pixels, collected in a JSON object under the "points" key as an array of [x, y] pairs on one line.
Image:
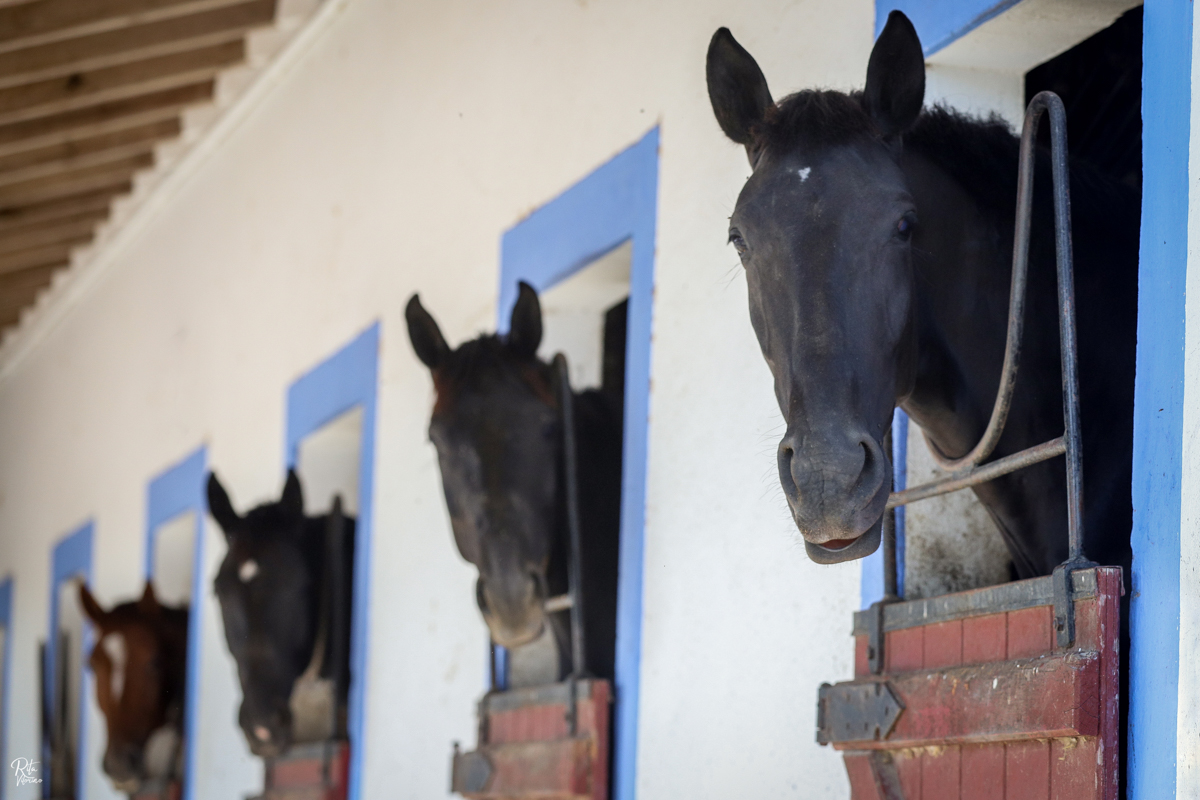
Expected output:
{"points": [[497, 426]]}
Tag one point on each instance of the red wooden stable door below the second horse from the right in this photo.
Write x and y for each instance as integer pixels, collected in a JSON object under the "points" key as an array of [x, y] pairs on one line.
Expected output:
{"points": [[527, 749]]}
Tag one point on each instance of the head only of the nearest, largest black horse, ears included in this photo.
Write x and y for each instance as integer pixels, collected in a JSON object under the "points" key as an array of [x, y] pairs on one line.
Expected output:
{"points": [[825, 228]]}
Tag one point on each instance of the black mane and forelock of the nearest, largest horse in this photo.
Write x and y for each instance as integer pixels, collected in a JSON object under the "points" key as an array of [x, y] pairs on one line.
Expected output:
{"points": [[981, 154]]}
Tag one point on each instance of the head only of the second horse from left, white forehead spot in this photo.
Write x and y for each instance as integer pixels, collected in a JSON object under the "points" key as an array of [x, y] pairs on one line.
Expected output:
{"points": [[268, 588]]}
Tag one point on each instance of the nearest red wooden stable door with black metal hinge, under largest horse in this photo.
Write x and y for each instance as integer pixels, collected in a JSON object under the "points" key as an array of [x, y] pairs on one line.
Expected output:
{"points": [[977, 702]]}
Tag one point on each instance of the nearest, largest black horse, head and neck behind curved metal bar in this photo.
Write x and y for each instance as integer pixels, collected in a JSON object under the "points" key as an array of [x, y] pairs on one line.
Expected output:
{"points": [[877, 240]]}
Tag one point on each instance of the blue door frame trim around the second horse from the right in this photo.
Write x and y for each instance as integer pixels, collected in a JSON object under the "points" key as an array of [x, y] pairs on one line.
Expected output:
{"points": [[615, 204]]}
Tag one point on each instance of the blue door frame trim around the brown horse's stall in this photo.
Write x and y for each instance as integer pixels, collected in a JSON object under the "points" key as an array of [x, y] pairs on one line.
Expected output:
{"points": [[176, 491]]}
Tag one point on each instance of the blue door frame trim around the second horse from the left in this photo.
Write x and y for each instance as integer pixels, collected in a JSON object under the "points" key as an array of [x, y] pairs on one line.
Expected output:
{"points": [[344, 382]]}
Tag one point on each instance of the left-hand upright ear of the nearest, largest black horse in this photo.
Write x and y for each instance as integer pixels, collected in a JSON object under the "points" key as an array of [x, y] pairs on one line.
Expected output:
{"points": [[737, 89]]}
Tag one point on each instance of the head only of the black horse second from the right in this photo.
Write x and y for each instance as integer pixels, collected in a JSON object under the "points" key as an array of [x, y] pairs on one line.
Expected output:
{"points": [[499, 435]]}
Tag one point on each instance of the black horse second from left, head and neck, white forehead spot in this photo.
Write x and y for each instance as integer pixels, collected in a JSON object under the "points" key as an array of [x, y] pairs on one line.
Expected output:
{"points": [[286, 606]]}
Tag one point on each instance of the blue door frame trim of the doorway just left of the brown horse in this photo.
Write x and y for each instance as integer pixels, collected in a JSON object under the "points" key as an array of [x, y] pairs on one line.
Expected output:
{"points": [[71, 560]]}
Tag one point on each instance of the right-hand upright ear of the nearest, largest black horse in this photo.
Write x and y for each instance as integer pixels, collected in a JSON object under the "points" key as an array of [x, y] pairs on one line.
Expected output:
{"points": [[896, 77]]}
